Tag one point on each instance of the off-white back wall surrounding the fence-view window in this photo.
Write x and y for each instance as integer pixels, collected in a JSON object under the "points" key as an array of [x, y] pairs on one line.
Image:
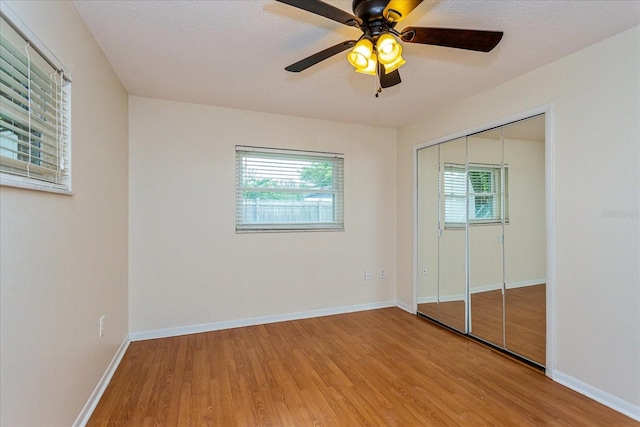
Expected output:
{"points": [[187, 264]]}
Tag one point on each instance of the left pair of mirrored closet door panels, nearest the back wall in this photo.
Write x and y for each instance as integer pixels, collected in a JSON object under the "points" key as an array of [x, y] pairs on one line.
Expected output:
{"points": [[442, 277]]}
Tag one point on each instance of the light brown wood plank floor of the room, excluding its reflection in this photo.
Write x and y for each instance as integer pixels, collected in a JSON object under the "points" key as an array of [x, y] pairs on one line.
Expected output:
{"points": [[379, 368]]}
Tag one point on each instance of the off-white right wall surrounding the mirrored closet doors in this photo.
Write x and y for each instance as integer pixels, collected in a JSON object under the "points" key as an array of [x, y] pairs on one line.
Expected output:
{"points": [[595, 161]]}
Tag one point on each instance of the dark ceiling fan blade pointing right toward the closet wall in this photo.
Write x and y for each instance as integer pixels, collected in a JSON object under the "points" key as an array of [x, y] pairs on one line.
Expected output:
{"points": [[478, 40]]}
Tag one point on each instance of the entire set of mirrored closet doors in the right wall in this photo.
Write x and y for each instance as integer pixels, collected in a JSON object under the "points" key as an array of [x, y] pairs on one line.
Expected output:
{"points": [[481, 236]]}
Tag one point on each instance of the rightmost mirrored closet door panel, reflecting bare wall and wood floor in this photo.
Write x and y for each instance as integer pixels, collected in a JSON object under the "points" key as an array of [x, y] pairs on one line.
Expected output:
{"points": [[525, 240]]}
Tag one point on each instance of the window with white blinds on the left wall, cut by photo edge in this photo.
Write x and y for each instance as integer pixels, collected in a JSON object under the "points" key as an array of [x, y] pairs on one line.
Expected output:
{"points": [[34, 112]]}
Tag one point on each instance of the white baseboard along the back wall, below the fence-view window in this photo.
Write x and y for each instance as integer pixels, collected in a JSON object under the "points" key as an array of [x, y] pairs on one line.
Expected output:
{"points": [[229, 324]]}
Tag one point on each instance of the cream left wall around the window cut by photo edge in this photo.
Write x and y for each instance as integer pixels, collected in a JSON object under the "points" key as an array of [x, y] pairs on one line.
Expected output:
{"points": [[63, 259]]}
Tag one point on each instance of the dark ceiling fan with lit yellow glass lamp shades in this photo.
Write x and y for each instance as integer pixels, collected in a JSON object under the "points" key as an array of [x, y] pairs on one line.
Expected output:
{"points": [[377, 52]]}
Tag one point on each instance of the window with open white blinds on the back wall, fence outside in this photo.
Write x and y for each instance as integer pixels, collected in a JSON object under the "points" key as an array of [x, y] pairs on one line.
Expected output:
{"points": [[285, 190]]}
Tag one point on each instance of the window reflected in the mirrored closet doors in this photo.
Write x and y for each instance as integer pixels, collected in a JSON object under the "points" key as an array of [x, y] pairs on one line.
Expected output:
{"points": [[487, 191]]}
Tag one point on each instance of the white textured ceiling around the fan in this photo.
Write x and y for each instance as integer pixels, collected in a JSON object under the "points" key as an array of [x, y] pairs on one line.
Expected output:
{"points": [[233, 53]]}
